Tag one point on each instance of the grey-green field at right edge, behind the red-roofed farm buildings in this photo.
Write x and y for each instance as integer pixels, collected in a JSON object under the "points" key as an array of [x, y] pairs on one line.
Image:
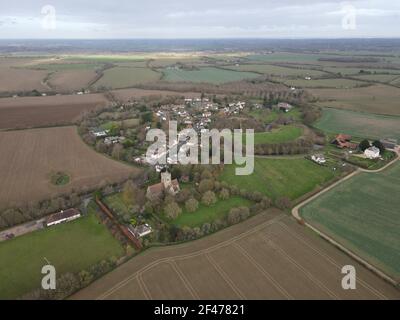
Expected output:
{"points": [[359, 124]]}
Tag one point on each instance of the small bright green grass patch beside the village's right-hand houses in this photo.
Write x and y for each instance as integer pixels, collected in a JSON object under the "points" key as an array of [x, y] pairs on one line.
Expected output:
{"points": [[280, 135]]}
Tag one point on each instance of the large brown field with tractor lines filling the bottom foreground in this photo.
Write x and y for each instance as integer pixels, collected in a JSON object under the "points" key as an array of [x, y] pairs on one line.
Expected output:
{"points": [[267, 257]]}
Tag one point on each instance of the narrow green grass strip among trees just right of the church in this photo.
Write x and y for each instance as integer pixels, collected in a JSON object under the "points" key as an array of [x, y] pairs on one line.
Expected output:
{"points": [[209, 214]]}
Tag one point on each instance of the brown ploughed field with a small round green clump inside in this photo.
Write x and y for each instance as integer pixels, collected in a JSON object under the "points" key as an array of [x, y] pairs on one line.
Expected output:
{"points": [[28, 158]]}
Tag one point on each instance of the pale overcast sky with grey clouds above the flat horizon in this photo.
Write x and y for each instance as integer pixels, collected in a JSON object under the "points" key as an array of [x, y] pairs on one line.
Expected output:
{"points": [[199, 19]]}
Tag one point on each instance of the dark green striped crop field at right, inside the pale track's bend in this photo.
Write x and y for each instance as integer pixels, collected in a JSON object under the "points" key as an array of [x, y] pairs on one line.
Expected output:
{"points": [[362, 214]]}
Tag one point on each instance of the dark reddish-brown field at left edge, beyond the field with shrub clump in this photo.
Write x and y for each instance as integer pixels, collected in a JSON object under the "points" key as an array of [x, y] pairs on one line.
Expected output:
{"points": [[29, 112]]}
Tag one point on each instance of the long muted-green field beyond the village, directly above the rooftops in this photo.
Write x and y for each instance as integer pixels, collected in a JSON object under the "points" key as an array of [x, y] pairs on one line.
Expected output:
{"points": [[207, 74]]}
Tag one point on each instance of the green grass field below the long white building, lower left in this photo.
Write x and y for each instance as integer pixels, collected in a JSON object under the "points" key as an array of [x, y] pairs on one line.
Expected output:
{"points": [[70, 247]]}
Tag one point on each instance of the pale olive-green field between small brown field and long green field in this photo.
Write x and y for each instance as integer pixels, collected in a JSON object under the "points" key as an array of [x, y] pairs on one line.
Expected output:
{"points": [[124, 77]]}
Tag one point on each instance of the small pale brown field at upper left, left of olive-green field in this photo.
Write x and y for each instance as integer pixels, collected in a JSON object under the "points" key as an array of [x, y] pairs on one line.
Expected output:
{"points": [[71, 80]]}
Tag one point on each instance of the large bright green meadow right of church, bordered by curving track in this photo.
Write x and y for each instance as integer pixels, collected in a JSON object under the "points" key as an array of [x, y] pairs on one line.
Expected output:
{"points": [[276, 178]]}
